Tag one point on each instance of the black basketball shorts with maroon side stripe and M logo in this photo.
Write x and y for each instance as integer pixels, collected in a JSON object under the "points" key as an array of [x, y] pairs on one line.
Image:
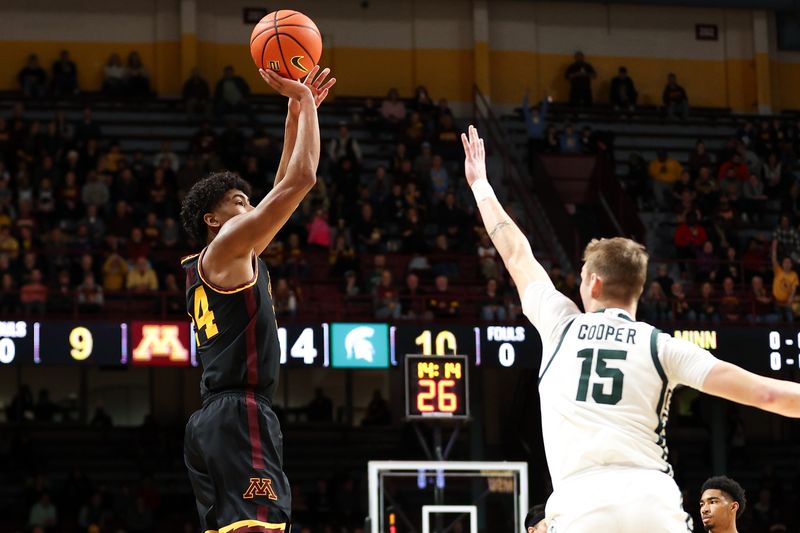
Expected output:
{"points": [[233, 449]]}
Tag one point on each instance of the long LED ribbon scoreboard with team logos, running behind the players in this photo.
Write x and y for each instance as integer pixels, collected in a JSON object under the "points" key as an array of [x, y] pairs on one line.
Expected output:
{"points": [[772, 352]]}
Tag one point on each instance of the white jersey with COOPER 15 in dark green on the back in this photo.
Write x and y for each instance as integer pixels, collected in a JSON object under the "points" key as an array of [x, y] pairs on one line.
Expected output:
{"points": [[605, 385]]}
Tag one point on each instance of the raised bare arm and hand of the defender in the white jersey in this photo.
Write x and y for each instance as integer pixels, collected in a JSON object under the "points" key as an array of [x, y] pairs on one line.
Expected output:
{"points": [[507, 238]]}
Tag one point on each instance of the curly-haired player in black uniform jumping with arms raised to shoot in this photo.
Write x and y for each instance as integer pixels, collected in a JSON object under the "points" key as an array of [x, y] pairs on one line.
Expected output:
{"points": [[233, 447]]}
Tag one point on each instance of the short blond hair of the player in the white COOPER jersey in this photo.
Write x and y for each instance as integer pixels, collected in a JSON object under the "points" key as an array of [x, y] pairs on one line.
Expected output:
{"points": [[621, 264]]}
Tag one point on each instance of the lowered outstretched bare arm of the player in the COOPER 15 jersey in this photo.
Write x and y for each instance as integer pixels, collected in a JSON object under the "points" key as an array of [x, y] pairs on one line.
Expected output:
{"points": [[738, 385]]}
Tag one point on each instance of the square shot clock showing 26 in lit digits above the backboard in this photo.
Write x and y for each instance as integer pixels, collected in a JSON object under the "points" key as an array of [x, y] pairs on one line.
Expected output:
{"points": [[437, 387]]}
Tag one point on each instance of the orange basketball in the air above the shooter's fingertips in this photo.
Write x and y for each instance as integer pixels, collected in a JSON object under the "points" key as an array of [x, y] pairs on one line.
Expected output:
{"points": [[287, 42]]}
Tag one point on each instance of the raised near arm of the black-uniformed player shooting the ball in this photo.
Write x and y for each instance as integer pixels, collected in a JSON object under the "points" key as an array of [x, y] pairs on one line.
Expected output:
{"points": [[228, 259]]}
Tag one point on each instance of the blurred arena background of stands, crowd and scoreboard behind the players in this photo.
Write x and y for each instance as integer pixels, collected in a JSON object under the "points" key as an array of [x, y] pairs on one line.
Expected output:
{"points": [[675, 123]]}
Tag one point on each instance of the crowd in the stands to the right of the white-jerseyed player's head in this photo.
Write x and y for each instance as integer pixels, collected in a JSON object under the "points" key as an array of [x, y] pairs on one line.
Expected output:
{"points": [[736, 241]]}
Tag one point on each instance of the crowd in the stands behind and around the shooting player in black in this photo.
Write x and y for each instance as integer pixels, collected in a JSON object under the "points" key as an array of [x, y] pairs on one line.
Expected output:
{"points": [[84, 222]]}
